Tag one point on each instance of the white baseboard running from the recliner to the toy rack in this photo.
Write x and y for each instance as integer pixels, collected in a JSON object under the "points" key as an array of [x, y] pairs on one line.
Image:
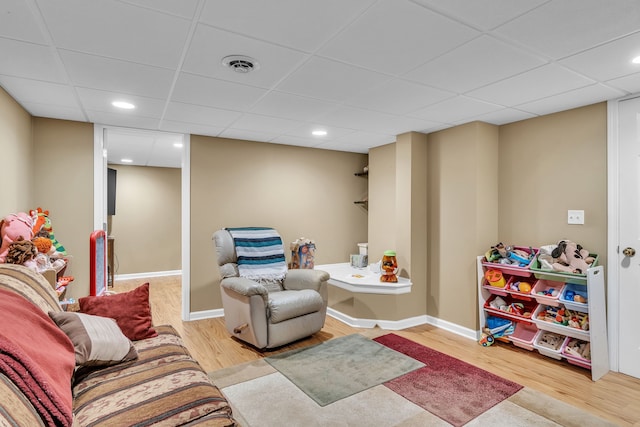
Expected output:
{"points": [[396, 325]]}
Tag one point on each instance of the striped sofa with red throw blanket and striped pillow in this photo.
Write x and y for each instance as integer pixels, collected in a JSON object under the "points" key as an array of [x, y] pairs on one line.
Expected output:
{"points": [[64, 368]]}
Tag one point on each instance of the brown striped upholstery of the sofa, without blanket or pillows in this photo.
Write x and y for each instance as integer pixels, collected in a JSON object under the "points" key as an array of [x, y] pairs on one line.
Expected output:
{"points": [[165, 386]]}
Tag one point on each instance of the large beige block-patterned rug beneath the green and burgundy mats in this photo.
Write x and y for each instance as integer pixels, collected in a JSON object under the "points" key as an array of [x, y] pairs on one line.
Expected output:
{"points": [[261, 396]]}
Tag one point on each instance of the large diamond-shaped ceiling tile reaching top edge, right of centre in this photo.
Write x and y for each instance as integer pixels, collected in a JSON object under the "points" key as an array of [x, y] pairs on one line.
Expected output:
{"points": [[394, 37]]}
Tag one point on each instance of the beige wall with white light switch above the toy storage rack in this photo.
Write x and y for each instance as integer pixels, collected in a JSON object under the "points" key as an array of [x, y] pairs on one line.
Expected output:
{"points": [[551, 164]]}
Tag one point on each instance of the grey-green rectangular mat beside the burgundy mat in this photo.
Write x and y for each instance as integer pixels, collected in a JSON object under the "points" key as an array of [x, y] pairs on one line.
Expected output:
{"points": [[342, 367]]}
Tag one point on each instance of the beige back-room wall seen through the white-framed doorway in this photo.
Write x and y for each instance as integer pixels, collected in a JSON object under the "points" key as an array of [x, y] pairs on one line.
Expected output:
{"points": [[147, 224]]}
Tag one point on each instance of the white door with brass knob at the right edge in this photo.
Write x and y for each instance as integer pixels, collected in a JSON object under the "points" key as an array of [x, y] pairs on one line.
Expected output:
{"points": [[628, 257]]}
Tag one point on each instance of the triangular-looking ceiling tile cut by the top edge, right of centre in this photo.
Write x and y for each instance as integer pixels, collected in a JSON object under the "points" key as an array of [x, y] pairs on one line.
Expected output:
{"points": [[483, 14]]}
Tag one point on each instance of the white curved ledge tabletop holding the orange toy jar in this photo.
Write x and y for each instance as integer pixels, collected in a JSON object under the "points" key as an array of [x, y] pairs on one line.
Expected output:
{"points": [[362, 280]]}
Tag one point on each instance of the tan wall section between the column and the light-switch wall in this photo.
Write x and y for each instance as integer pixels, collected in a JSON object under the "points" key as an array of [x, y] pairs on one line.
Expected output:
{"points": [[463, 217]]}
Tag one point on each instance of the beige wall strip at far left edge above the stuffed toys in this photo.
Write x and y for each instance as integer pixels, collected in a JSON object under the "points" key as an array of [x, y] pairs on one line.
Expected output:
{"points": [[16, 146]]}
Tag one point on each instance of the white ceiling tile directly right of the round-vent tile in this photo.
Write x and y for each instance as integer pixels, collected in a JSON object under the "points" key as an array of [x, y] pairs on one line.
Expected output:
{"points": [[330, 80]]}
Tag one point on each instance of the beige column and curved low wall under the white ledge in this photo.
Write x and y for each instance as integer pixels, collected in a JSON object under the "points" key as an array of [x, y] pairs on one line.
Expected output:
{"points": [[397, 220]]}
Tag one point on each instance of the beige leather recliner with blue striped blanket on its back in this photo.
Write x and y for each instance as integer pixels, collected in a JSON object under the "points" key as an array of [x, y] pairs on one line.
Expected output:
{"points": [[265, 304]]}
